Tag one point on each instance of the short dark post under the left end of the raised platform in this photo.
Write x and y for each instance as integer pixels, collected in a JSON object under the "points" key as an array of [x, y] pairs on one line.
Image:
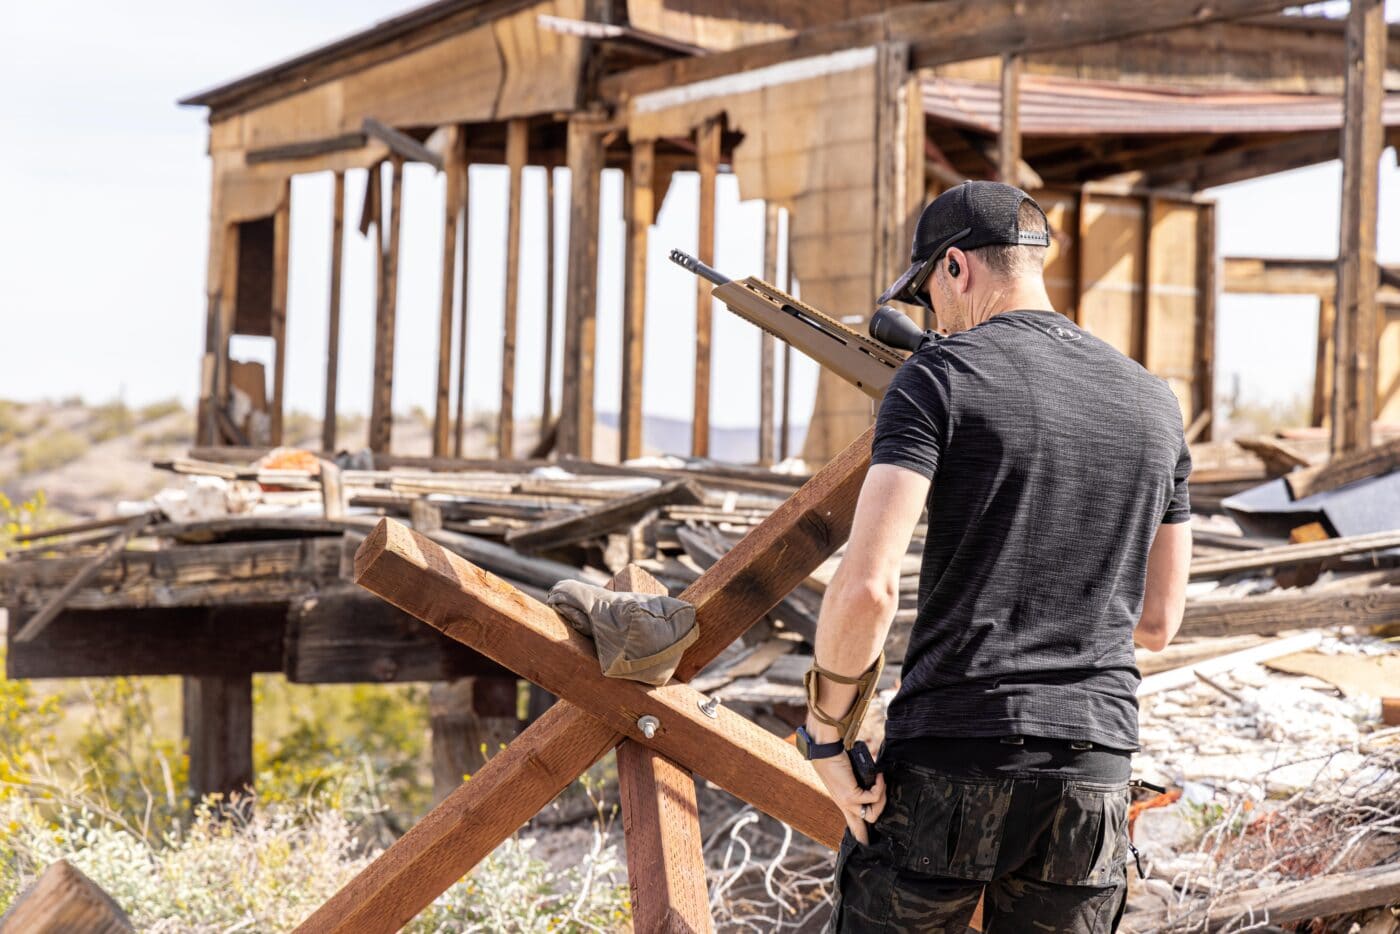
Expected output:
{"points": [[219, 726]]}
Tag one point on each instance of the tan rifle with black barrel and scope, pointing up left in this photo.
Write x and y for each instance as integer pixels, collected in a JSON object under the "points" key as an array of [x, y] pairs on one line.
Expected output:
{"points": [[866, 363]]}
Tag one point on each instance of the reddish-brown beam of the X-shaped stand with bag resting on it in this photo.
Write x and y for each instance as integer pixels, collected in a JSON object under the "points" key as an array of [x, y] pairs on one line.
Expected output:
{"points": [[488, 614]]}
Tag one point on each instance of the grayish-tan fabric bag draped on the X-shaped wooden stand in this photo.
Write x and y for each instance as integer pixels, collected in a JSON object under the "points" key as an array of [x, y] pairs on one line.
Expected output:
{"points": [[638, 636]]}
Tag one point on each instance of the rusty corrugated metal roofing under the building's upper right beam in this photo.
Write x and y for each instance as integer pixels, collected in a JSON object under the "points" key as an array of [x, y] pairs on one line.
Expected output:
{"points": [[1067, 107]]}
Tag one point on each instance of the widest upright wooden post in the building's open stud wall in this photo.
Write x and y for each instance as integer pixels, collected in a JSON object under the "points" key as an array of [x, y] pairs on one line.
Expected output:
{"points": [[586, 162]]}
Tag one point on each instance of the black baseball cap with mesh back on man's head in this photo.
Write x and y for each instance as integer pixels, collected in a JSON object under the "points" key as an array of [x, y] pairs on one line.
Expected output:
{"points": [[967, 216]]}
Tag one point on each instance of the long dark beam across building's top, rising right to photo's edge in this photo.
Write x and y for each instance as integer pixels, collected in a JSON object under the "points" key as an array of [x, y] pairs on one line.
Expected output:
{"points": [[946, 33]]}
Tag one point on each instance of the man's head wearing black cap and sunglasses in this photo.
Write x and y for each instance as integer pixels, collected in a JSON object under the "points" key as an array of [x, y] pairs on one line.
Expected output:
{"points": [[975, 246]]}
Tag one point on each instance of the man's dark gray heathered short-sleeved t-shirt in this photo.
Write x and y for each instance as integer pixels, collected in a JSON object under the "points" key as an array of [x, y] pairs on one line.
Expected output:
{"points": [[1053, 459]]}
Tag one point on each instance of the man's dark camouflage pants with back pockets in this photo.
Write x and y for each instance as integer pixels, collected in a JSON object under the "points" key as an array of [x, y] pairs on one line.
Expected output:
{"points": [[1051, 855]]}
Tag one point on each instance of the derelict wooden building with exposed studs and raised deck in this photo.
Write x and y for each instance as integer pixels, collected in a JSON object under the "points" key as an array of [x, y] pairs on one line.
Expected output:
{"points": [[848, 117]]}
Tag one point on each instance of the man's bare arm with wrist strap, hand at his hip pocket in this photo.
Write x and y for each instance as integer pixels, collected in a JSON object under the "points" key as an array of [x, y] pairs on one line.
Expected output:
{"points": [[857, 610]]}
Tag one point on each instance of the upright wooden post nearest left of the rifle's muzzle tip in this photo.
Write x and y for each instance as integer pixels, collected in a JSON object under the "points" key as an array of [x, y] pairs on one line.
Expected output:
{"points": [[640, 214]]}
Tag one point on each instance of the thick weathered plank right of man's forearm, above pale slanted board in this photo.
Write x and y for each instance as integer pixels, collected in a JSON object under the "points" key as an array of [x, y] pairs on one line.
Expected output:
{"points": [[1275, 613]]}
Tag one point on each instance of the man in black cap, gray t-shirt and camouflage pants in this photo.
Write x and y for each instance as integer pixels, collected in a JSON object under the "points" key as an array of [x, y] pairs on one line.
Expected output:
{"points": [[1053, 470]]}
